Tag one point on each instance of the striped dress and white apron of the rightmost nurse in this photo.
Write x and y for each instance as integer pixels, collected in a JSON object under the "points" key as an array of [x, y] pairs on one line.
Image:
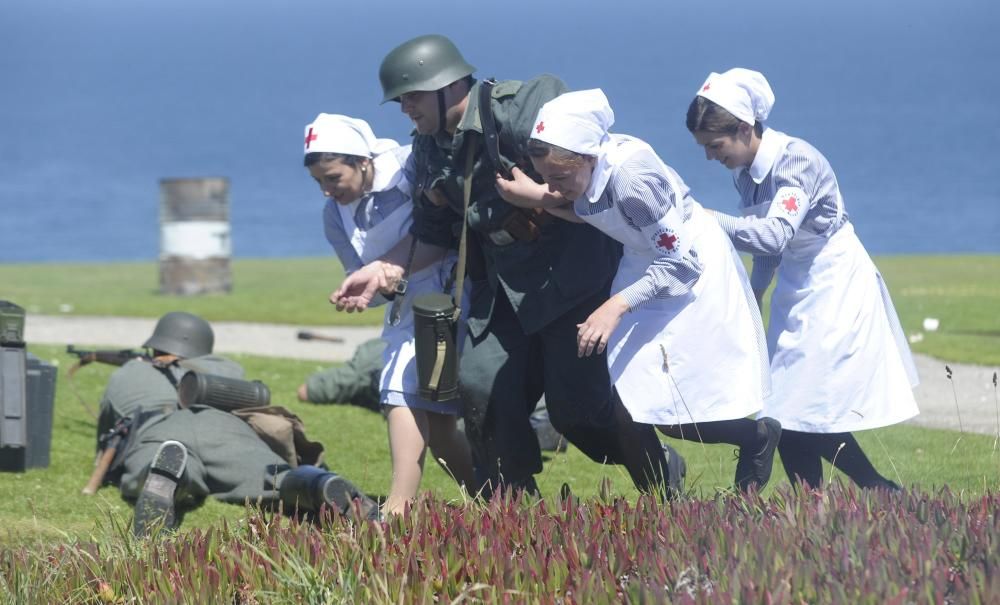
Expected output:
{"points": [[839, 358]]}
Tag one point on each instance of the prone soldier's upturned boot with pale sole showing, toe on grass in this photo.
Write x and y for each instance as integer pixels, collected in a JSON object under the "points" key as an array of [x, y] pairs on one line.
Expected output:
{"points": [[155, 507]]}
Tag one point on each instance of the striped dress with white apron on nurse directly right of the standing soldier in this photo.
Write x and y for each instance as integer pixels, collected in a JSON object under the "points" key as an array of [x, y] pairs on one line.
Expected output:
{"points": [[691, 349]]}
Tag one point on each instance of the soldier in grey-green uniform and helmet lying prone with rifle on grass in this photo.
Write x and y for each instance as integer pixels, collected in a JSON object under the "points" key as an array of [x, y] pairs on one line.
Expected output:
{"points": [[220, 454]]}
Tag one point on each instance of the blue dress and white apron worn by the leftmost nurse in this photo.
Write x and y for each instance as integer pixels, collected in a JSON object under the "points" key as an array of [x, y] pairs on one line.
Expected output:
{"points": [[398, 384]]}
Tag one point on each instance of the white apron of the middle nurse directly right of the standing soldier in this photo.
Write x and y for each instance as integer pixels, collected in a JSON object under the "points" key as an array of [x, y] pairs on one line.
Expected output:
{"points": [[694, 358]]}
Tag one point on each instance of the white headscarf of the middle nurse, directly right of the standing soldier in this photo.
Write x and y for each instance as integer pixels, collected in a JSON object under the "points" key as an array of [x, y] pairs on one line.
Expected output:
{"points": [[577, 121]]}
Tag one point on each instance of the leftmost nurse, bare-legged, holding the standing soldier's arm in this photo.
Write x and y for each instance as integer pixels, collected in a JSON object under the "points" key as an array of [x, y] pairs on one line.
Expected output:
{"points": [[367, 213]]}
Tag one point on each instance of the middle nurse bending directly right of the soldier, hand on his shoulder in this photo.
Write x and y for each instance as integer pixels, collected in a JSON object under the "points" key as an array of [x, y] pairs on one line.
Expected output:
{"points": [[684, 342]]}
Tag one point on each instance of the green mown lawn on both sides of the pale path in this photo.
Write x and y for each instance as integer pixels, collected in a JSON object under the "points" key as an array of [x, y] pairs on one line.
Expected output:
{"points": [[45, 504]]}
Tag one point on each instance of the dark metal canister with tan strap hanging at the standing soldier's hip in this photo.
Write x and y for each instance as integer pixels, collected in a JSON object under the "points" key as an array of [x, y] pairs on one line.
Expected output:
{"points": [[435, 330]]}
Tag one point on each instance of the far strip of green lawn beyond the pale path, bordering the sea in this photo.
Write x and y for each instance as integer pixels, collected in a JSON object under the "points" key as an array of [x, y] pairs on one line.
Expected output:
{"points": [[963, 292]]}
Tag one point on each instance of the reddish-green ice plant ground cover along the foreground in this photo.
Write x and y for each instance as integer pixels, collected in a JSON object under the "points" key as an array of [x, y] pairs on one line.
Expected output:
{"points": [[836, 545]]}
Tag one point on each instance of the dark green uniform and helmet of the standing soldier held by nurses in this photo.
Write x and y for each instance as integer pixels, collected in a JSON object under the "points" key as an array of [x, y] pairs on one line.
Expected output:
{"points": [[526, 296]]}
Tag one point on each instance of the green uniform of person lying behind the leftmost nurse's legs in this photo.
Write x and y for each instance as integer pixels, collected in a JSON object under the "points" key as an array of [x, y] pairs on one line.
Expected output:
{"points": [[356, 382]]}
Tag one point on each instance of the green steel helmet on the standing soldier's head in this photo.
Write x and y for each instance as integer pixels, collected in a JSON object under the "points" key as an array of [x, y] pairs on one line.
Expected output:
{"points": [[424, 63]]}
